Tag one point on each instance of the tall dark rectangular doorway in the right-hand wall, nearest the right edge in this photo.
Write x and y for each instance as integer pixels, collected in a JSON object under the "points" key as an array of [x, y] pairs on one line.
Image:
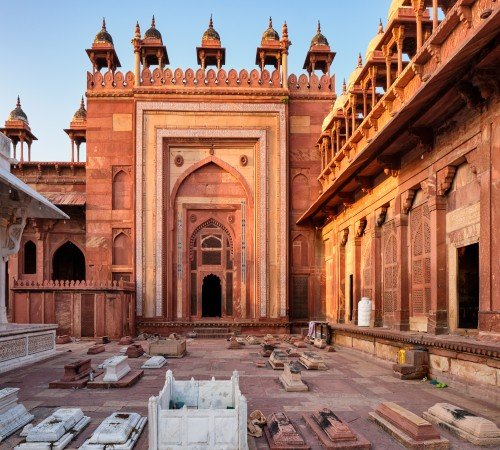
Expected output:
{"points": [[468, 286]]}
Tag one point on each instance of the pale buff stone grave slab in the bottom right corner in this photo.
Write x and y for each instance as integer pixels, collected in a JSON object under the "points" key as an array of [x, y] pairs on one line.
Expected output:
{"points": [[464, 424]]}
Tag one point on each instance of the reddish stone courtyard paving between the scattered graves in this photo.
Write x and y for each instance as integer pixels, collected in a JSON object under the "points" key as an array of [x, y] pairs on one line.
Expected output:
{"points": [[352, 386]]}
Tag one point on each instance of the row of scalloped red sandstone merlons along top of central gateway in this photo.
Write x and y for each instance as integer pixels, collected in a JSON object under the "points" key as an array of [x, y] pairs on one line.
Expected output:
{"points": [[200, 81]]}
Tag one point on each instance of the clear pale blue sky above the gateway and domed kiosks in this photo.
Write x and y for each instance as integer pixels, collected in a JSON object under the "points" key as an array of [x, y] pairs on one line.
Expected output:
{"points": [[44, 42]]}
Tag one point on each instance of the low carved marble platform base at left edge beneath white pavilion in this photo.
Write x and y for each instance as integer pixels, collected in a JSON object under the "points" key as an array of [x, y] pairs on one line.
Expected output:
{"points": [[22, 344]]}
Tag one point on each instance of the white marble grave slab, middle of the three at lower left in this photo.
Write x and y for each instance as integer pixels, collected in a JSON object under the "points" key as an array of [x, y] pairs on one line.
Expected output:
{"points": [[56, 431]]}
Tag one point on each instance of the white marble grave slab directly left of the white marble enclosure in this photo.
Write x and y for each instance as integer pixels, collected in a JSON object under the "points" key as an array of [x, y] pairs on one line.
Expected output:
{"points": [[120, 430]]}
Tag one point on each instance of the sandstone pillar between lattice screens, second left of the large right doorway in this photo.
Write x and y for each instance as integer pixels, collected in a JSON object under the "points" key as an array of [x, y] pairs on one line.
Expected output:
{"points": [[402, 307]]}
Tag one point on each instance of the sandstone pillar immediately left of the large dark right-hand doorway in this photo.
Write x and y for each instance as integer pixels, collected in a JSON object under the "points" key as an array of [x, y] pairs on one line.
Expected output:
{"points": [[438, 313]]}
